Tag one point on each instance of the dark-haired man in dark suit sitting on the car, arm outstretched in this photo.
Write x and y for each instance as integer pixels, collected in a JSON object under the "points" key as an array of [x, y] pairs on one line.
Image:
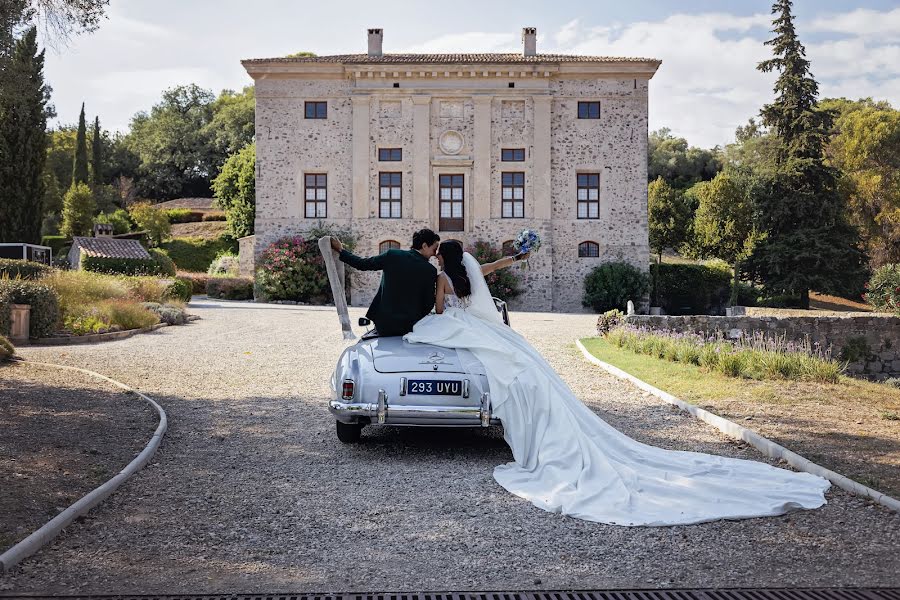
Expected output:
{"points": [[406, 293]]}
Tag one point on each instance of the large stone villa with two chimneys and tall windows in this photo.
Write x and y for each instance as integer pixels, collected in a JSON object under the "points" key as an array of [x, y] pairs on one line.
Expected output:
{"points": [[474, 146]]}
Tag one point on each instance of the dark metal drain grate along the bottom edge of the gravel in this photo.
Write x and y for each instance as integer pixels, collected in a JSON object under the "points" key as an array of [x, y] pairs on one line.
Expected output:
{"points": [[696, 594]]}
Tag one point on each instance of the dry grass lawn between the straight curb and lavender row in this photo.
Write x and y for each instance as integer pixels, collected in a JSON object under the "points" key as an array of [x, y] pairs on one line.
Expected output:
{"points": [[852, 427]]}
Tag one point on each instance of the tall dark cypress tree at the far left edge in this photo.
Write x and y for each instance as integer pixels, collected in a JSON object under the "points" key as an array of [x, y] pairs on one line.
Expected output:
{"points": [[23, 143]]}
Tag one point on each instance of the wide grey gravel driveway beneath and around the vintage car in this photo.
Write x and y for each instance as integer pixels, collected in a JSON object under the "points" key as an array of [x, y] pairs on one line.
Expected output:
{"points": [[251, 491]]}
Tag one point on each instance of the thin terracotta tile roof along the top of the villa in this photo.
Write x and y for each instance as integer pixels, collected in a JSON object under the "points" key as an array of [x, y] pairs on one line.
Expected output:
{"points": [[481, 58]]}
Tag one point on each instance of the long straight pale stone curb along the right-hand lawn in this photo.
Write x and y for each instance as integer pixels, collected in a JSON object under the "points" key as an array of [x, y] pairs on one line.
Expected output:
{"points": [[764, 445]]}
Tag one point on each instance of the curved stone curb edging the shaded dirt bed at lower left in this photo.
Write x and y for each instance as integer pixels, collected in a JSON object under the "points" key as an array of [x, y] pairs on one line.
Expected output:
{"points": [[49, 530]]}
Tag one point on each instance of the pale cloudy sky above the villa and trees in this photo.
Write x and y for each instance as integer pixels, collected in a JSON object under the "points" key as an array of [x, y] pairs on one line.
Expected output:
{"points": [[706, 86]]}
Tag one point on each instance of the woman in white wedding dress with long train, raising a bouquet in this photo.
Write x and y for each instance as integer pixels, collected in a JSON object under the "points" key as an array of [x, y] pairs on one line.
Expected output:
{"points": [[569, 460]]}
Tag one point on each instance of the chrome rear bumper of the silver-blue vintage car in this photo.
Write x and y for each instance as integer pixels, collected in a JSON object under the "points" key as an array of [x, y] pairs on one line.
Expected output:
{"points": [[399, 412]]}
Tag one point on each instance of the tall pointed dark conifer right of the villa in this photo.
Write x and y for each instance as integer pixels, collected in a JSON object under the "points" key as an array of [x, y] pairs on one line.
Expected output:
{"points": [[807, 241]]}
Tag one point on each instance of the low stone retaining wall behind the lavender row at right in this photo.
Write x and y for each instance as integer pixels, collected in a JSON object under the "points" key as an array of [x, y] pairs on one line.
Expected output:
{"points": [[870, 343]]}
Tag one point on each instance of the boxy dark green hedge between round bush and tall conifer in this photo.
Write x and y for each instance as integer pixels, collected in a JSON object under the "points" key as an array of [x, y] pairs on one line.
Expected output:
{"points": [[693, 289]]}
